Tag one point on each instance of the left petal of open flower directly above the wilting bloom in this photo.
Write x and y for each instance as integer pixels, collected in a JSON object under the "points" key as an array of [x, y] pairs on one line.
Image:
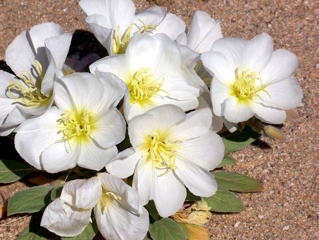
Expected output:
{"points": [[37, 134]]}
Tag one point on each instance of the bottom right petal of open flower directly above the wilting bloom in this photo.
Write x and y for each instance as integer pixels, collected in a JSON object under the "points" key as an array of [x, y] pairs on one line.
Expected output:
{"points": [[93, 157]]}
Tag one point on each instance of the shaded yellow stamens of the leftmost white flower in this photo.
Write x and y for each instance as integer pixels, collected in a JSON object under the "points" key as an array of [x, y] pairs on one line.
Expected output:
{"points": [[28, 93]]}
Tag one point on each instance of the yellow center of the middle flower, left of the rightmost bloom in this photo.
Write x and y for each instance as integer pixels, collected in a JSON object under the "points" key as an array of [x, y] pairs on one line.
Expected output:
{"points": [[143, 86]]}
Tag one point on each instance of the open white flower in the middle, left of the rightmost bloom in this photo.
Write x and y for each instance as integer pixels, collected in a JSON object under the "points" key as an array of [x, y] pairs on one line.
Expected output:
{"points": [[153, 70]]}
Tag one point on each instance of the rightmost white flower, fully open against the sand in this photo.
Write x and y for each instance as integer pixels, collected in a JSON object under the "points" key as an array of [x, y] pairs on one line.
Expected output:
{"points": [[252, 80]]}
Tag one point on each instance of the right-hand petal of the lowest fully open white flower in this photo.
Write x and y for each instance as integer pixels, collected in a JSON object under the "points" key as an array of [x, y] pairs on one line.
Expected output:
{"points": [[206, 151]]}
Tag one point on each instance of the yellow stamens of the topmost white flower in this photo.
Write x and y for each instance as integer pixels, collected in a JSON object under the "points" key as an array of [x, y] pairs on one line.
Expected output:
{"points": [[119, 44]]}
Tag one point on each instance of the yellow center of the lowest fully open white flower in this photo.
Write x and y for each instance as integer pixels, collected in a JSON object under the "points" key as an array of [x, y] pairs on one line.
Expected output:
{"points": [[160, 150]]}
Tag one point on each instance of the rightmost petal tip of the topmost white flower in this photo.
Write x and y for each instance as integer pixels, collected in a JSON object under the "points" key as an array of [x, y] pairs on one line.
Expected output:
{"points": [[172, 26]]}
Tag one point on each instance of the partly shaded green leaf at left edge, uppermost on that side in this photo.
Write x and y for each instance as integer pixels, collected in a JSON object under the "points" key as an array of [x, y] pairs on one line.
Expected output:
{"points": [[11, 171]]}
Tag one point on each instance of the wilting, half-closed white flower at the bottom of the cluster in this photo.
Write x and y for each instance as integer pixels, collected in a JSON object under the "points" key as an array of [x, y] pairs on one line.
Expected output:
{"points": [[118, 211]]}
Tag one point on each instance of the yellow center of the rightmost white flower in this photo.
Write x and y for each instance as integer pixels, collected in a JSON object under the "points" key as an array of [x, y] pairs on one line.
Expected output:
{"points": [[245, 86]]}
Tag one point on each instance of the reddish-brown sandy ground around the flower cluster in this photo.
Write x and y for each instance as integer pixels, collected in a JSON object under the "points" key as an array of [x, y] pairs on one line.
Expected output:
{"points": [[288, 207]]}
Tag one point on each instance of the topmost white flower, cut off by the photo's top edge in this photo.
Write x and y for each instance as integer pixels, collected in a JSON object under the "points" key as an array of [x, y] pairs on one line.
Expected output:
{"points": [[114, 22]]}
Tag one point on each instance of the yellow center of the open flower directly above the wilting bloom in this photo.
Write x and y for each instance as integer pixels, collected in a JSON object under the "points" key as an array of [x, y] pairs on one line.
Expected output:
{"points": [[76, 125]]}
